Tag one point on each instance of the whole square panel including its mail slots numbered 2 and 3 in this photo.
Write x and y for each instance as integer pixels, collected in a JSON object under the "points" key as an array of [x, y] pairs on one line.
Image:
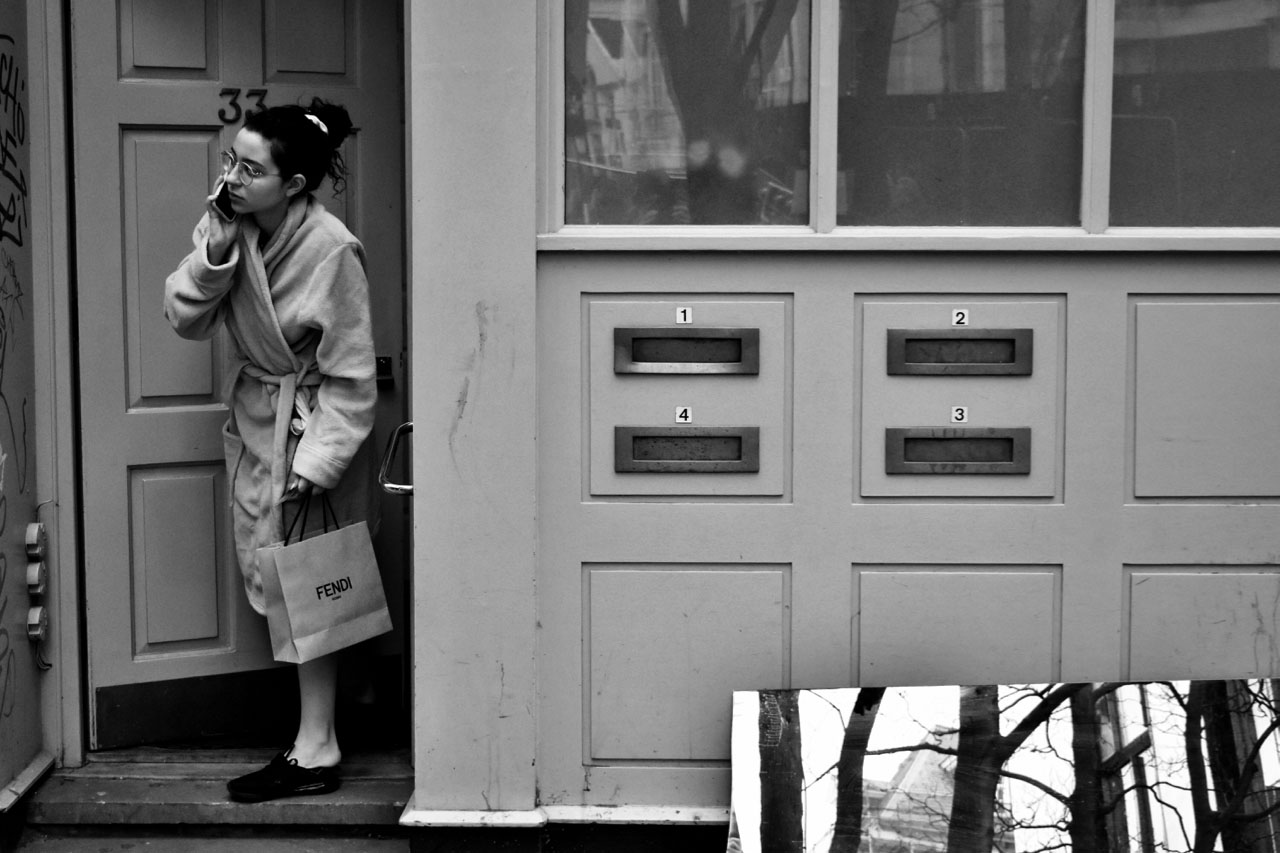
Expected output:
{"points": [[962, 396]]}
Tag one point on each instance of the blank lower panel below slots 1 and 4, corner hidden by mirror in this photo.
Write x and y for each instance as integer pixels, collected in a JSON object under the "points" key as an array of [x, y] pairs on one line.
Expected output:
{"points": [[669, 646]]}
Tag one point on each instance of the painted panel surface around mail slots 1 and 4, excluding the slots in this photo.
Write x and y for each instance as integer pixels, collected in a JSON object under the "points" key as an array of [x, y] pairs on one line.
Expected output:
{"points": [[716, 400]]}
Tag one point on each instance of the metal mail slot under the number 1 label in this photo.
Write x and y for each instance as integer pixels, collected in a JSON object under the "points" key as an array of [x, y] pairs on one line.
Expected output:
{"points": [[685, 350]]}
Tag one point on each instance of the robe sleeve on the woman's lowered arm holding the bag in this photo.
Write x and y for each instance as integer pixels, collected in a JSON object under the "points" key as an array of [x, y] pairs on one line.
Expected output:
{"points": [[342, 417]]}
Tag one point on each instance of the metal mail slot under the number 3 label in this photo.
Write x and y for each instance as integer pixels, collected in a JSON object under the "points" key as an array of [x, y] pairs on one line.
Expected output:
{"points": [[947, 450]]}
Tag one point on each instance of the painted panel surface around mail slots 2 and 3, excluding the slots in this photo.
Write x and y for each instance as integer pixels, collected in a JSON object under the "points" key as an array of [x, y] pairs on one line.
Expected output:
{"points": [[906, 402]]}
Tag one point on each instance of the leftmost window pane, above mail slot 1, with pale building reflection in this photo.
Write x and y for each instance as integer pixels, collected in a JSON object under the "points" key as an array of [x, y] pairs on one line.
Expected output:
{"points": [[687, 112]]}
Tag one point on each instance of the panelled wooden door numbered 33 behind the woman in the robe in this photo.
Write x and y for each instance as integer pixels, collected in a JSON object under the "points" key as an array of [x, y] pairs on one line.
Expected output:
{"points": [[159, 89]]}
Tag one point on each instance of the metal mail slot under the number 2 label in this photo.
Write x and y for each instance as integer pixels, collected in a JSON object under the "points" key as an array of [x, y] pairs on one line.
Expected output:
{"points": [[961, 353]]}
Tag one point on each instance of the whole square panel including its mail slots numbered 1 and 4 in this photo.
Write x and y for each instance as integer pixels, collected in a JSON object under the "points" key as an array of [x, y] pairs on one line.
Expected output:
{"points": [[687, 396]]}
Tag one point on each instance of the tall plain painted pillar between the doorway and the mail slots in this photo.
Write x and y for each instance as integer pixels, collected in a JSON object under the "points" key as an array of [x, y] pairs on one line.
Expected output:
{"points": [[472, 168]]}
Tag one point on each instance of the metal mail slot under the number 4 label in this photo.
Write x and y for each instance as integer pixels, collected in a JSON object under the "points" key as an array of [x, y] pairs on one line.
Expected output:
{"points": [[687, 450]]}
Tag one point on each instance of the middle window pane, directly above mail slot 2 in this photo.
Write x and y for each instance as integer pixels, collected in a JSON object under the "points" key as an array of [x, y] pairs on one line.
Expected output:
{"points": [[961, 112]]}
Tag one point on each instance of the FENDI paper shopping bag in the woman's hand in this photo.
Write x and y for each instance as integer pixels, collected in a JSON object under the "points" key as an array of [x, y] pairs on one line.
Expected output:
{"points": [[330, 592]]}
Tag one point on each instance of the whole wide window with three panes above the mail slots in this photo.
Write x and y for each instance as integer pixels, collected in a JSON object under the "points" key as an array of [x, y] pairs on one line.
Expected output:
{"points": [[858, 116]]}
